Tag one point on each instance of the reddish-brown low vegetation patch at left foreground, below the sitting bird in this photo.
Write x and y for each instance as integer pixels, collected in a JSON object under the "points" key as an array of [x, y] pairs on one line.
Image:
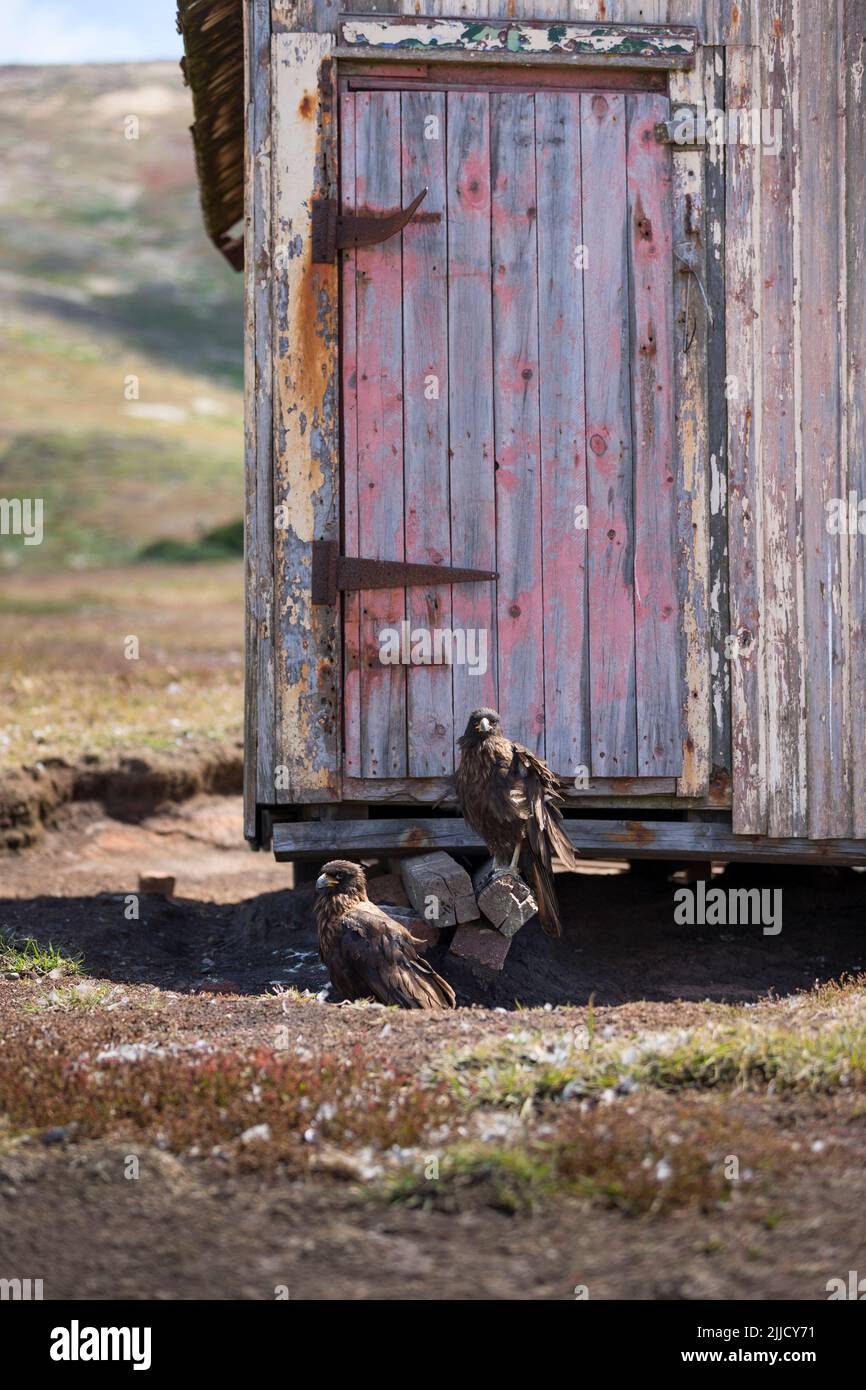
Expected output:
{"points": [[198, 1102]]}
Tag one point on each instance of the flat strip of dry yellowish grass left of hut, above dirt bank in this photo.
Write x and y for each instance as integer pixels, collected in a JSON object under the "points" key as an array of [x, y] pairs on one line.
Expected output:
{"points": [[67, 689]]}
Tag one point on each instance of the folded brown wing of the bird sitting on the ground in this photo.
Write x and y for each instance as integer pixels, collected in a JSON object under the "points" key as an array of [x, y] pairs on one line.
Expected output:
{"points": [[383, 960]]}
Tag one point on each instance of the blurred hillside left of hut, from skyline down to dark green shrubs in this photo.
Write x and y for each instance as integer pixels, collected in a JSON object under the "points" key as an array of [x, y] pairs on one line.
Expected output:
{"points": [[122, 348]]}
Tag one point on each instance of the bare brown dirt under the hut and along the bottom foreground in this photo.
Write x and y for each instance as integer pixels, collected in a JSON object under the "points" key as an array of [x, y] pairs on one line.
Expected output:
{"points": [[205, 967]]}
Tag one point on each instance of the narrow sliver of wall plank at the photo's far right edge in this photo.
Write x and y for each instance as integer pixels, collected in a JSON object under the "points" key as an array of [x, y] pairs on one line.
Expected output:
{"points": [[856, 229]]}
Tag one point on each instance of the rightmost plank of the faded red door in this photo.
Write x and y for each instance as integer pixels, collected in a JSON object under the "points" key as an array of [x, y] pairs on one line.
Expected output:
{"points": [[657, 611]]}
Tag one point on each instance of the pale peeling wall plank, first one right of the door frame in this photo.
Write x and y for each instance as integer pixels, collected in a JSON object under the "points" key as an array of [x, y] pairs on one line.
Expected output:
{"points": [[743, 341]]}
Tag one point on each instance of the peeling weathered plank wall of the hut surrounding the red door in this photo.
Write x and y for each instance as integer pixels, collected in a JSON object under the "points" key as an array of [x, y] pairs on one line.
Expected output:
{"points": [[775, 434]]}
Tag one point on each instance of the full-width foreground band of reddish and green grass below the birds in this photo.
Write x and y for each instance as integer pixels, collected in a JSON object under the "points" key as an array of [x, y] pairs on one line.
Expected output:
{"points": [[646, 1125]]}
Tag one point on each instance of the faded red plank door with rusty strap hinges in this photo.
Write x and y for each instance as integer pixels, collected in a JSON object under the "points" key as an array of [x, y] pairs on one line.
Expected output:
{"points": [[508, 407]]}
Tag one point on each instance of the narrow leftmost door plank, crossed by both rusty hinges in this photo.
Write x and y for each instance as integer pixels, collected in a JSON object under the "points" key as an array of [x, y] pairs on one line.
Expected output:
{"points": [[352, 600]]}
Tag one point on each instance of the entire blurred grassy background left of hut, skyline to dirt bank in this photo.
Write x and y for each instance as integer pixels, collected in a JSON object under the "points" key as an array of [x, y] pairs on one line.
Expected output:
{"points": [[122, 357]]}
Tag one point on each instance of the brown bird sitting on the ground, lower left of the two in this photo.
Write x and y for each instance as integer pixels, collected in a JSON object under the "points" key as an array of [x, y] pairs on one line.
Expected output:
{"points": [[366, 951]]}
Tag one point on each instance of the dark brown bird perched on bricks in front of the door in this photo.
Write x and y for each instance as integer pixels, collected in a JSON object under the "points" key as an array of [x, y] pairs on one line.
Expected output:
{"points": [[512, 800]]}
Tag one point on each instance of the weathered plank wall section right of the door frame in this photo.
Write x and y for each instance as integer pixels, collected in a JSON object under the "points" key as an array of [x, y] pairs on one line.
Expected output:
{"points": [[794, 243]]}
